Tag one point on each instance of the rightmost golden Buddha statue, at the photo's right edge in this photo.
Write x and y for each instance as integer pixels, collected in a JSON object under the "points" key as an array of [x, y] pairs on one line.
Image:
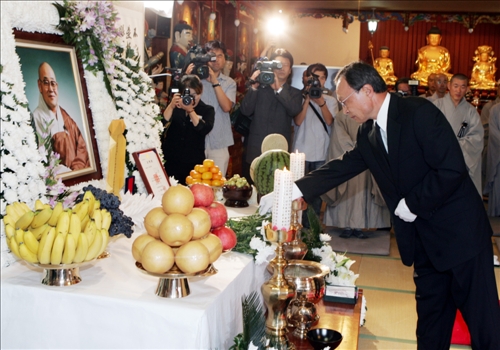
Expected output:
{"points": [[483, 72]]}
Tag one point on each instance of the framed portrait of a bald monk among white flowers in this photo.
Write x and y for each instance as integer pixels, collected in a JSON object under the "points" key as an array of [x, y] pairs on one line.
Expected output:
{"points": [[56, 102]]}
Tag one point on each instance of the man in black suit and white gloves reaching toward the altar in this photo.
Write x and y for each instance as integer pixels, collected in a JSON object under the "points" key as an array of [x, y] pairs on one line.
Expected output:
{"points": [[439, 219]]}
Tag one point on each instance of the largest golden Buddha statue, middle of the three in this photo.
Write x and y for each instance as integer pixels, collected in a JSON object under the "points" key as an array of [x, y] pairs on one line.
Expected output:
{"points": [[432, 58]]}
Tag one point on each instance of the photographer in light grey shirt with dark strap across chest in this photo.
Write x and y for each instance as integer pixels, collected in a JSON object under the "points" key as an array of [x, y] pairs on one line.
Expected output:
{"points": [[314, 123]]}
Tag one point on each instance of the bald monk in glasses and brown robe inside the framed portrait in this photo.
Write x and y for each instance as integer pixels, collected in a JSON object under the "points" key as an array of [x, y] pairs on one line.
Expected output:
{"points": [[51, 119]]}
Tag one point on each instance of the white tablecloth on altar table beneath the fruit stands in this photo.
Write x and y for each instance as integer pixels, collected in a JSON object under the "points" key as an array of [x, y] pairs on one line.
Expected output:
{"points": [[115, 306]]}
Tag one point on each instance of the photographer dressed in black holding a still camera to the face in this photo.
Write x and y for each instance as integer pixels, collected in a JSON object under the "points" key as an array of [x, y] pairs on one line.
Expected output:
{"points": [[188, 121]]}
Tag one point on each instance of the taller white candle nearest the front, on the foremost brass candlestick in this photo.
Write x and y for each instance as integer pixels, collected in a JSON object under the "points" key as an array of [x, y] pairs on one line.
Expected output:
{"points": [[282, 205]]}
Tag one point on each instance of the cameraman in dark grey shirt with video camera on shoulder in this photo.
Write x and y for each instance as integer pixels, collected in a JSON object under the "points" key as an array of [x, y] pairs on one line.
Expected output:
{"points": [[272, 106]]}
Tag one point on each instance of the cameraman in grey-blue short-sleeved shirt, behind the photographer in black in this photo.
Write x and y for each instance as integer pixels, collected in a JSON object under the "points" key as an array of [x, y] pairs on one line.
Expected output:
{"points": [[219, 91]]}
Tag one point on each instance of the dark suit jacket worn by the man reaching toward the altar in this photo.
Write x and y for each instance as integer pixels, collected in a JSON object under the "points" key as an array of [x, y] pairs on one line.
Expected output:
{"points": [[425, 166]]}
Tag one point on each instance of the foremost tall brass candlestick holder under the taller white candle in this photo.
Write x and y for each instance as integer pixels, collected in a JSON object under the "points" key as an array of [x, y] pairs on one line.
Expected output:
{"points": [[277, 292]]}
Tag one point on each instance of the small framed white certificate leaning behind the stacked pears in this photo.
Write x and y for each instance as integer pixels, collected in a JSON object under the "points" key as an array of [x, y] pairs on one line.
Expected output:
{"points": [[152, 171]]}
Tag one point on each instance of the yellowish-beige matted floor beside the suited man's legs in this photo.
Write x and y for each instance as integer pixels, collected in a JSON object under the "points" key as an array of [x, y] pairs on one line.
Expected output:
{"points": [[389, 290]]}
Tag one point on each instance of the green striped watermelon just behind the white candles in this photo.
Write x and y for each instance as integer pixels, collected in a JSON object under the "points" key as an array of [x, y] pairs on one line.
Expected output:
{"points": [[265, 165]]}
